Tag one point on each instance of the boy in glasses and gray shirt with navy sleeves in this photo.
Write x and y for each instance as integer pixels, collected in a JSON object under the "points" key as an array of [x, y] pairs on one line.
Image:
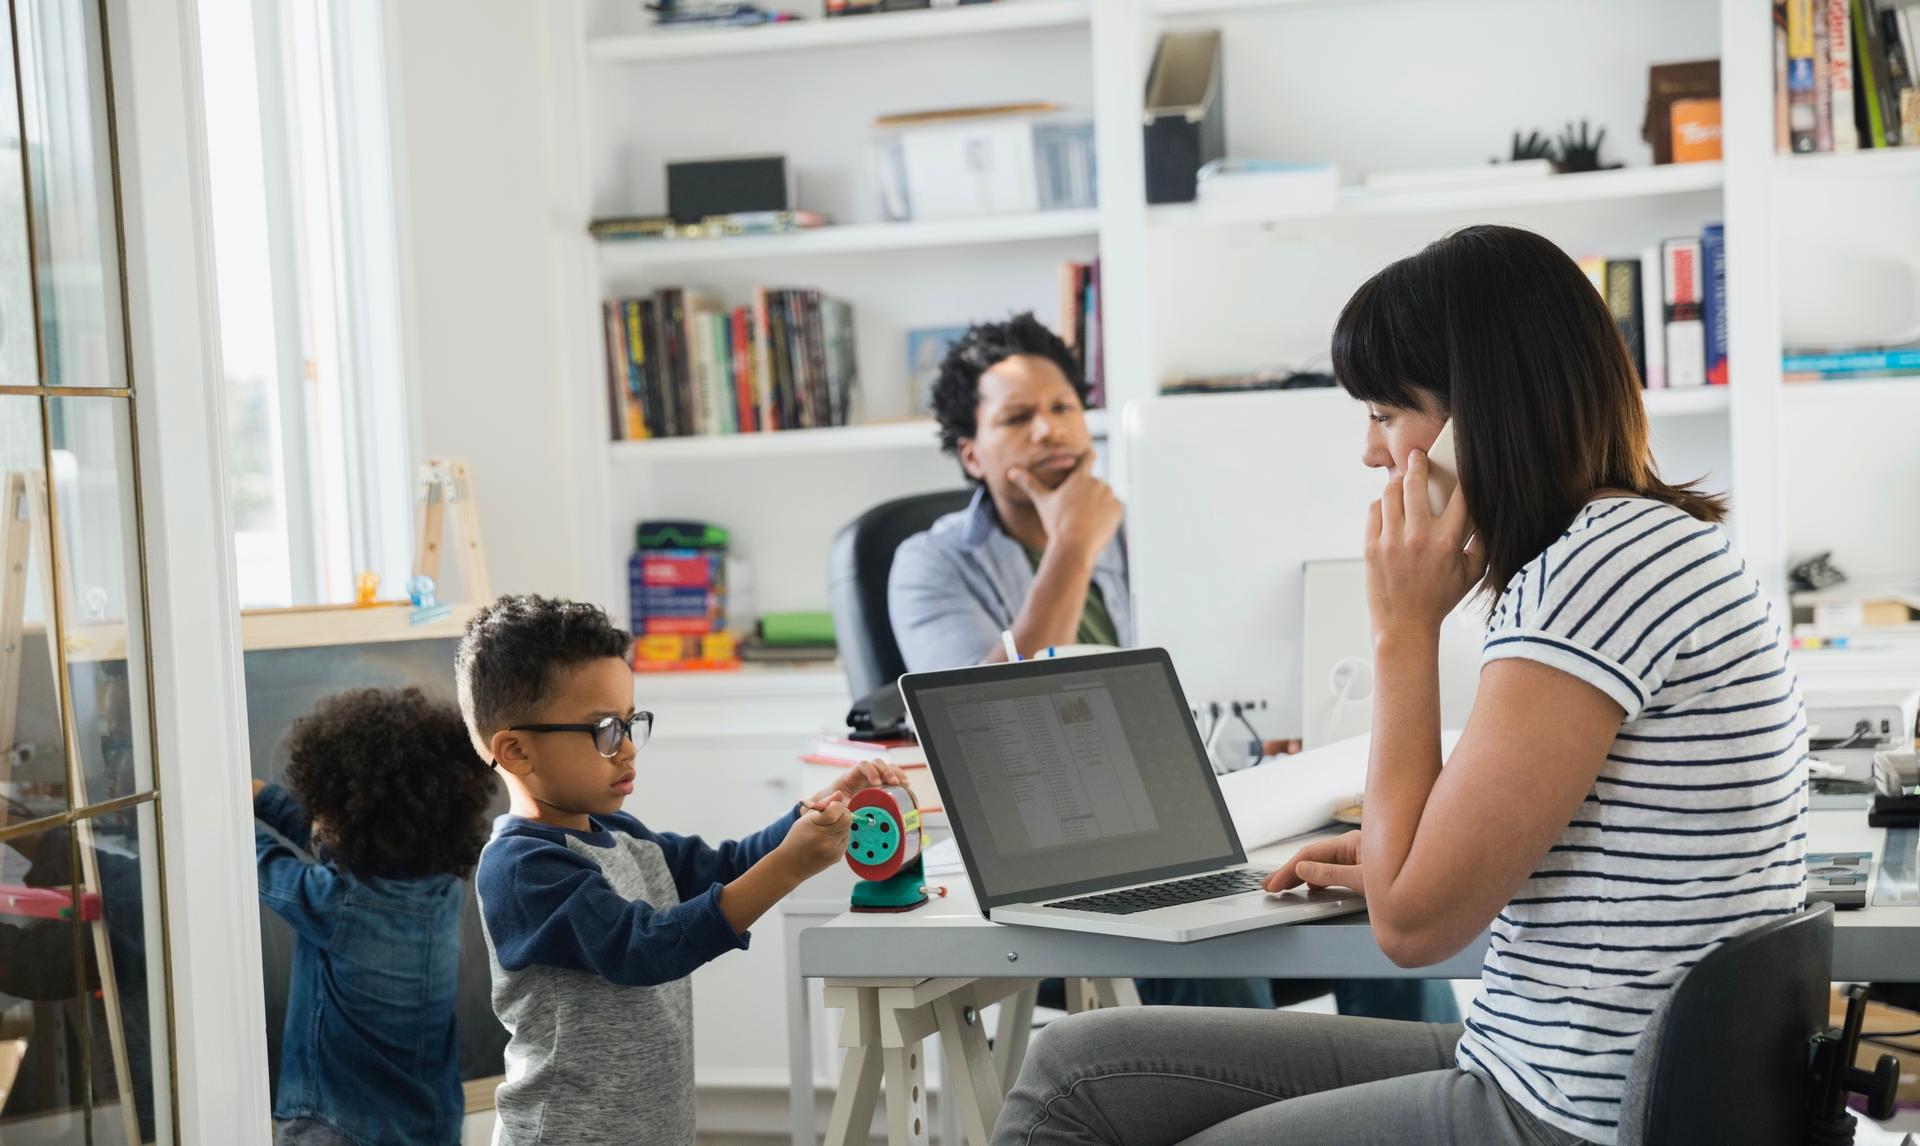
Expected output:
{"points": [[592, 919]]}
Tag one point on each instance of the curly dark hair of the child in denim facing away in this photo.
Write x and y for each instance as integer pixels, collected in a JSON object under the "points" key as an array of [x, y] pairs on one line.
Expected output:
{"points": [[393, 784]]}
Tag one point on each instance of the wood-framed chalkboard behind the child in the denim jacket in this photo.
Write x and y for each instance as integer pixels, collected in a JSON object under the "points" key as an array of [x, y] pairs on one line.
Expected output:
{"points": [[285, 684]]}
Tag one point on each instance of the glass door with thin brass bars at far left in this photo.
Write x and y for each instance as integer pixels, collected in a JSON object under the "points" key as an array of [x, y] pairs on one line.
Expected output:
{"points": [[85, 1038]]}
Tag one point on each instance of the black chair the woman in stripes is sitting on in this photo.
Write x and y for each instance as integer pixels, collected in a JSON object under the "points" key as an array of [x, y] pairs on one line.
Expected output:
{"points": [[1740, 1049]]}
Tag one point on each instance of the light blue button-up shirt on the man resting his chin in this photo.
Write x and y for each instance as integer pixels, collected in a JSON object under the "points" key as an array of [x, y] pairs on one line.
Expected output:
{"points": [[955, 588]]}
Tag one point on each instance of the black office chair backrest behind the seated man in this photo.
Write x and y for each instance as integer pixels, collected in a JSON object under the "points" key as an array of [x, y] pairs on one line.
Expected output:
{"points": [[857, 585]]}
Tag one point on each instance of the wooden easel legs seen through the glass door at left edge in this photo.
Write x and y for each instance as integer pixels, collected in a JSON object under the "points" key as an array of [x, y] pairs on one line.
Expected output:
{"points": [[24, 515]]}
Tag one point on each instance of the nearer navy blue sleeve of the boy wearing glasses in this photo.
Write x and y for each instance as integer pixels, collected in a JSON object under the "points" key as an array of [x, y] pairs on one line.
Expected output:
{"points": [[552, 907]]}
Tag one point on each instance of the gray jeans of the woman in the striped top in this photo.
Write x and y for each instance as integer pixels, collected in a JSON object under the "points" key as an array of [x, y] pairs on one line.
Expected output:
{"points": [[1222, 1078]]}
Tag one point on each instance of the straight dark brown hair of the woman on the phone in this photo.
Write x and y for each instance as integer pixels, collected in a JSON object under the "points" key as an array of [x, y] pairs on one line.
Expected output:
{"points": [[1502, 333]]}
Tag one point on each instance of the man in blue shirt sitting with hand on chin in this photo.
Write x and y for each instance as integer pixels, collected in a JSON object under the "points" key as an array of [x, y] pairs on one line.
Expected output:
{"points": [[1042, 554]]}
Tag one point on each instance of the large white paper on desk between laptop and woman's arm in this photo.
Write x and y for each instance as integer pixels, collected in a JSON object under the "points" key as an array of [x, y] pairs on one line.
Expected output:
{"points": [[1293, 796]]}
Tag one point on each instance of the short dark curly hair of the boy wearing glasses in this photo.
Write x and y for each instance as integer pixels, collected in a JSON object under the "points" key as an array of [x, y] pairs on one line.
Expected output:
{"points": [[514, 652]]}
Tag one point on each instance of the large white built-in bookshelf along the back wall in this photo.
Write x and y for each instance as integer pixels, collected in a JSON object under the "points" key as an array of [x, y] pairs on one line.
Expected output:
{"points": [[1174, 275]]}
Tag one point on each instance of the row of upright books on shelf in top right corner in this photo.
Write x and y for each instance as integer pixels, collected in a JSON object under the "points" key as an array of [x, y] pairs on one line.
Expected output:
{"points": [[1846, 74]]}
